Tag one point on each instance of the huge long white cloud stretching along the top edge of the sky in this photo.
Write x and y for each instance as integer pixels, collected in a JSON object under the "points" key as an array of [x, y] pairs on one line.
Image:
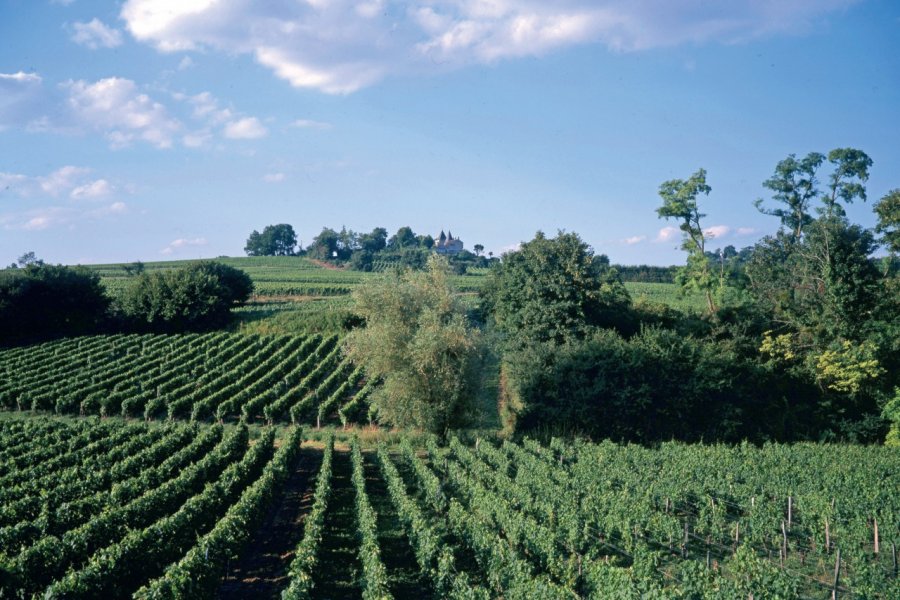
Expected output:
{"points": [[340, 46]]}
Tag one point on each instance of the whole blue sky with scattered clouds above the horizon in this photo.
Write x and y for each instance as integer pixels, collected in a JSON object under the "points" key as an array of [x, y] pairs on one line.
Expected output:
{"points": [[169, 129]]}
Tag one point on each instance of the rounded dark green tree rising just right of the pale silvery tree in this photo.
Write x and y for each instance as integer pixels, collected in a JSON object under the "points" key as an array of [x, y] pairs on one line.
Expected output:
{"points": [[552, 290]]}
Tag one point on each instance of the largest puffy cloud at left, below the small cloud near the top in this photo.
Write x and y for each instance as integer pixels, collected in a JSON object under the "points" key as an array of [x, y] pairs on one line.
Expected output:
{"points": [[115, 107]]}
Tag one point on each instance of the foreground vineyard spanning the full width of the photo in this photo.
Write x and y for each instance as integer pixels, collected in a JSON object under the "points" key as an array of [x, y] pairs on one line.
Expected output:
{"points": [[111, 509]]}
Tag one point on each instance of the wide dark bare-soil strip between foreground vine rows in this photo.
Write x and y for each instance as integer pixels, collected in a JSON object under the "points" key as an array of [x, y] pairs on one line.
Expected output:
{"points": [[261, 570]]}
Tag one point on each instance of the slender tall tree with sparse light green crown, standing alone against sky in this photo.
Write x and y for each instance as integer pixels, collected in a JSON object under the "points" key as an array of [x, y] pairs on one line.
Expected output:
{"points": [[680, 202]]}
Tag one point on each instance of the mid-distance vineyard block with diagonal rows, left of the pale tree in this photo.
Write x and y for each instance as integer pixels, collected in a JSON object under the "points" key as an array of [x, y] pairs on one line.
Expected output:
{"points": [[200, 377]]}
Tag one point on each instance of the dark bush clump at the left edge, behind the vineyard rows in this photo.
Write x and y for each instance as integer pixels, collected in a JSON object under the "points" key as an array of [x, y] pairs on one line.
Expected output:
{"points": [[42, 300]]}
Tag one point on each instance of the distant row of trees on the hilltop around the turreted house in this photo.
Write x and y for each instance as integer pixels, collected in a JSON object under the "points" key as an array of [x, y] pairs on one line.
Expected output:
{"points": [[361, 251]]}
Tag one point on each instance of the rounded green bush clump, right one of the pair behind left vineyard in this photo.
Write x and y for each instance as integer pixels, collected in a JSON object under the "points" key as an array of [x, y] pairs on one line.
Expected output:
{"points": [[199, 296]]}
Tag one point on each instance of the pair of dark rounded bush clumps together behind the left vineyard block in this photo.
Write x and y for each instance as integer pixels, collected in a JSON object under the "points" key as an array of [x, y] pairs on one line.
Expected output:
{"points": [[40, 301]]}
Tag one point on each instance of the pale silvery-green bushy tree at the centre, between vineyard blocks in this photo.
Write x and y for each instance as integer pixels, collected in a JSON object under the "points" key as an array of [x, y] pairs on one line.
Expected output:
{"points": [[418, 341]]}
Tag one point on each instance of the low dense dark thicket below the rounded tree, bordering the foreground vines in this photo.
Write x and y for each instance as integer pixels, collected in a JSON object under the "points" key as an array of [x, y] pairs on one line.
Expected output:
{"points": [[654, 386]]}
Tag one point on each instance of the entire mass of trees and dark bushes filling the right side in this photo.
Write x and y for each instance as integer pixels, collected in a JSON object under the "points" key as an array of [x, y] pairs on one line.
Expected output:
{"points": [[800, 339]]}
